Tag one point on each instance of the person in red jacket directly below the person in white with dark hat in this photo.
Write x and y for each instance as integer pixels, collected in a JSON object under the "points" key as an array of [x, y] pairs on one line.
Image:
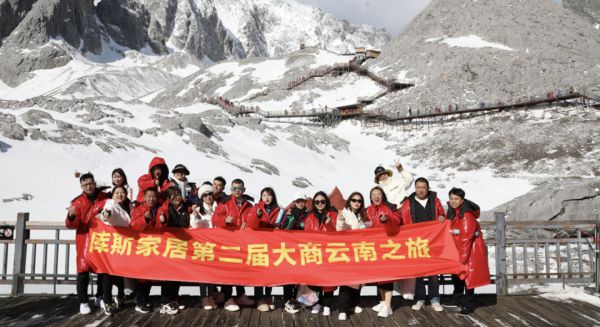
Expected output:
{"points": [[381, 213]]}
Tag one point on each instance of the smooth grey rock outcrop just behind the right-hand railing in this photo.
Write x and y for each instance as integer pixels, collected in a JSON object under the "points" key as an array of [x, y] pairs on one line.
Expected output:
{"points": [[558, 200]]}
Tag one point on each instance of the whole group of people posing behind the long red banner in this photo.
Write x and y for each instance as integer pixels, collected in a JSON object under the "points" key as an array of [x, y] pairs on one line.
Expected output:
{"points": [[173, 201]]}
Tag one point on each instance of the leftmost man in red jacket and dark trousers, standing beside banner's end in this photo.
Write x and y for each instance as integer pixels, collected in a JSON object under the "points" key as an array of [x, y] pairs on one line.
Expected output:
{"points": [[78, 218]]}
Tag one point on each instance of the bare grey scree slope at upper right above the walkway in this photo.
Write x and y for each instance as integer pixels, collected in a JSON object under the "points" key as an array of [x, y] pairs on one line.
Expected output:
{"points": [[463, 52]]}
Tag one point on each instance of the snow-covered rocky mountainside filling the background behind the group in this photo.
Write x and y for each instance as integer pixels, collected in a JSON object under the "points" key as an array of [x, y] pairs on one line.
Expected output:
{"points": [[117, 97]]}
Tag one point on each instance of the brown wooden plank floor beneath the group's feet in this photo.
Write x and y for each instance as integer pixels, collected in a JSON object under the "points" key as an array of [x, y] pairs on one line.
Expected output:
{"points": [[491, 311]]}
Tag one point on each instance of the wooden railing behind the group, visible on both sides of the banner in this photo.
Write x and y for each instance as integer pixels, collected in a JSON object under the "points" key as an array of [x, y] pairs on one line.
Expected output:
{"points": [[523, 252]]}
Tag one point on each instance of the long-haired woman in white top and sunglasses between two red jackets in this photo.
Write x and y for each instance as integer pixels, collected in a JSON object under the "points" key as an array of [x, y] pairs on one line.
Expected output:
{"points": [[353, 216]]}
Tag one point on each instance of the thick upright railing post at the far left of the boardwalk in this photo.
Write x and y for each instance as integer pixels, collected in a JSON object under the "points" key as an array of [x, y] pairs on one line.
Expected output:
{"points": [[21, 234]]}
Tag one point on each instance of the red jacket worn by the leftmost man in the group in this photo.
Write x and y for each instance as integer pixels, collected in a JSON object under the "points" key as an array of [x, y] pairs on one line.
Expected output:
{"points": [[81, 223]]}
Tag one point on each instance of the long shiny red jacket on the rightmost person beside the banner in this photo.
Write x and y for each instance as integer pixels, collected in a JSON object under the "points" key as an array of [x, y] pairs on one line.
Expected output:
{"points": [[470, 244]]}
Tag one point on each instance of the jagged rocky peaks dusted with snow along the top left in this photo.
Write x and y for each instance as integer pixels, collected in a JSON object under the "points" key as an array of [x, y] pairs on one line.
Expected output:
{"points": [[49, 33]]}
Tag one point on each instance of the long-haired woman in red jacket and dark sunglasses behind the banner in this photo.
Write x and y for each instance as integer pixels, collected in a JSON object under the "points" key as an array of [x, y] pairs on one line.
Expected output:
{"points": [[322, 218]]}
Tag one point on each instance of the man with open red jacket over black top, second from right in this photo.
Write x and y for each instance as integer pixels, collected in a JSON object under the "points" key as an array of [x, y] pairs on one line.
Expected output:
{"points": [[421, 206]]}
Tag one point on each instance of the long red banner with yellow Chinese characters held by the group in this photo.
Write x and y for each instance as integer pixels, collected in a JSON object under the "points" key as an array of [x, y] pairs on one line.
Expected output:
{"points": [[269, 258]]}
